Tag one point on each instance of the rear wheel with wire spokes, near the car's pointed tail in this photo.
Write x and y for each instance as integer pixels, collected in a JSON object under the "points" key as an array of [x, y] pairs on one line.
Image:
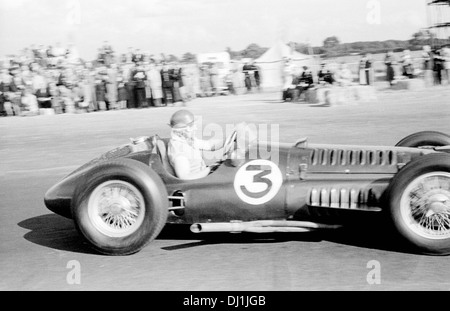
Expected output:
{"points": [[121, 207]]}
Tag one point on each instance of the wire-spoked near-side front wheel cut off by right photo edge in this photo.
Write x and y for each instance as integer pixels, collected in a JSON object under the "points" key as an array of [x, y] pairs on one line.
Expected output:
{"points": [[418, 201]]}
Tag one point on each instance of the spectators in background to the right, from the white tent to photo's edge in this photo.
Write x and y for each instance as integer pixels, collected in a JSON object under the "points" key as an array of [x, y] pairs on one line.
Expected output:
{"points": [[432, 66]]}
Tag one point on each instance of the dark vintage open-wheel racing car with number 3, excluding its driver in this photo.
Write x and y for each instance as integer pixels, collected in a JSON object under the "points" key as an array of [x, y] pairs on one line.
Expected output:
{"points": [[121, 200]]}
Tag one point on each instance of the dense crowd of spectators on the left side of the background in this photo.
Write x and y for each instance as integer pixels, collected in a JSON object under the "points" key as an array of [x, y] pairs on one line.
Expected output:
{"points": [[58, 80]]}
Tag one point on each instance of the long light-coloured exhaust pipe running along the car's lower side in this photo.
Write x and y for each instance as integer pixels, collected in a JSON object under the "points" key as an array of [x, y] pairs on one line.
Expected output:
{"points": [[263, 226]]}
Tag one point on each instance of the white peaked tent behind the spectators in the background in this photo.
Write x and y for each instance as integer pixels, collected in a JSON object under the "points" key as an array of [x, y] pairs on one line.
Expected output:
{"points": [[279, 63]]}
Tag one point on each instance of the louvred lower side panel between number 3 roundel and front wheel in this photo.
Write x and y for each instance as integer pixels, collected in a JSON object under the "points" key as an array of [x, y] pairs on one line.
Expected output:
{"points": [[313, 186]]}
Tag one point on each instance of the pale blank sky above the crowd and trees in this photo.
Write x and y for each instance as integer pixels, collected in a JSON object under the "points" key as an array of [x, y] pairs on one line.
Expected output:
{"points": [[202, 26]]}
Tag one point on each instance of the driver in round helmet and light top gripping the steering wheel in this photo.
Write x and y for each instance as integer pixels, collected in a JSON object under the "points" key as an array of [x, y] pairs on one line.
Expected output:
{"points": [[185, 150]]}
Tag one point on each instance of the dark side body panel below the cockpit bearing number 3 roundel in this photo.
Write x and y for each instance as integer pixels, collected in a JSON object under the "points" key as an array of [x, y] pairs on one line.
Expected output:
{"points": [[253, 190]]}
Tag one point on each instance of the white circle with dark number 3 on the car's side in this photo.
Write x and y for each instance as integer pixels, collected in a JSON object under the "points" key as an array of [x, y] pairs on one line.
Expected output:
{"points": [[258, 182]]}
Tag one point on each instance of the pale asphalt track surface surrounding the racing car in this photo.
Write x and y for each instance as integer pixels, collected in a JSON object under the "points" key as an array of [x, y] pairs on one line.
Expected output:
{"points": [[39, 250]]}
